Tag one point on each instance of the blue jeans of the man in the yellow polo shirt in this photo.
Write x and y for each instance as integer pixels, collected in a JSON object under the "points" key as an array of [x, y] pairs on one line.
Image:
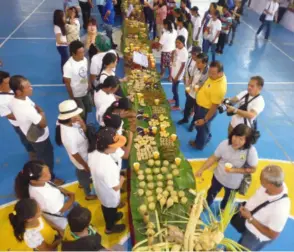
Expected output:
{"points": [[203, 132]]}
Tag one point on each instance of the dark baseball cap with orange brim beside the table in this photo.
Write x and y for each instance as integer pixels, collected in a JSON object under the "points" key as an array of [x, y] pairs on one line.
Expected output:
{"points": [[108, 138]]}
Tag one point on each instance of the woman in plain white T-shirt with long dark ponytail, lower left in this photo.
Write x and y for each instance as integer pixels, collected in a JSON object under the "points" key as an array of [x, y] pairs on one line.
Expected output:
{"points": [[33, 181]]}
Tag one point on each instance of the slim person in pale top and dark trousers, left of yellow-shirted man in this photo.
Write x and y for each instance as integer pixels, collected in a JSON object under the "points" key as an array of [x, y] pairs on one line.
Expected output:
{"points": [[190, 72]]}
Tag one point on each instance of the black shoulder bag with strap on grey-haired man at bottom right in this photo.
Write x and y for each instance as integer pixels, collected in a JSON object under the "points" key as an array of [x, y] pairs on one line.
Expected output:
{"points": [[238, 221]]}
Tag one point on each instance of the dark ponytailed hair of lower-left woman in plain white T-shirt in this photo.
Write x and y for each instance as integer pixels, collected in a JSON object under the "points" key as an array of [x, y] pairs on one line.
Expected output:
{"points": [[32, 170]]}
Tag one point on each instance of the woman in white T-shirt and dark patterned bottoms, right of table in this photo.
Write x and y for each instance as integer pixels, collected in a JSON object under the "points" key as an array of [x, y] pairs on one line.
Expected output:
{"points": [[167, 46]]}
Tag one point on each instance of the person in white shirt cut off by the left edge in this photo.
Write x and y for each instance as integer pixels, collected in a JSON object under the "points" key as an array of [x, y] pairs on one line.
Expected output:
{"points": [[6, 96]]}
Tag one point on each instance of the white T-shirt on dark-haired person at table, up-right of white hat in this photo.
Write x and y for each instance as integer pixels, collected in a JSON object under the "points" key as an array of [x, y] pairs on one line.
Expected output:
{"points": [[102, 102]]}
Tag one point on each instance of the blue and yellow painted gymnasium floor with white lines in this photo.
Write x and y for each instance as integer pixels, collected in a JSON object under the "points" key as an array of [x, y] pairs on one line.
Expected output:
{"points": [[27, 47]]}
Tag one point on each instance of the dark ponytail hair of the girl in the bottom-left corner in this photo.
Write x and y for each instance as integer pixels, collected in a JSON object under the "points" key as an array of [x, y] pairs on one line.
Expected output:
{"points": [[24, 210]]}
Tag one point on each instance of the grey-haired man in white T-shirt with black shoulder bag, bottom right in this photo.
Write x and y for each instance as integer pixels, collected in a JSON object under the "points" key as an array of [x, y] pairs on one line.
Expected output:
{"points": [[265, 225]]}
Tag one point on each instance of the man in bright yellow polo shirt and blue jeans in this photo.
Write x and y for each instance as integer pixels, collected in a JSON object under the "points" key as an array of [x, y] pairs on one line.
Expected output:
{"points": [[209, 97]]}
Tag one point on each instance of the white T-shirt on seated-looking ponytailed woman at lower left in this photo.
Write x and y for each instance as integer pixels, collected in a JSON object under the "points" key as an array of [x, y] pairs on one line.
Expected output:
{"points": [[49, 198]]}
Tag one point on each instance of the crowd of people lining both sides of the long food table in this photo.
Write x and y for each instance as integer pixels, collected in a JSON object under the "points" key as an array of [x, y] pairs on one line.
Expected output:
{"points": [[98, 156]]}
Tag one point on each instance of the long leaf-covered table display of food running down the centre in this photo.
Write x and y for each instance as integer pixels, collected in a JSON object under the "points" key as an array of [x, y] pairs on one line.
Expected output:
{"points": [[165, 207]]}
